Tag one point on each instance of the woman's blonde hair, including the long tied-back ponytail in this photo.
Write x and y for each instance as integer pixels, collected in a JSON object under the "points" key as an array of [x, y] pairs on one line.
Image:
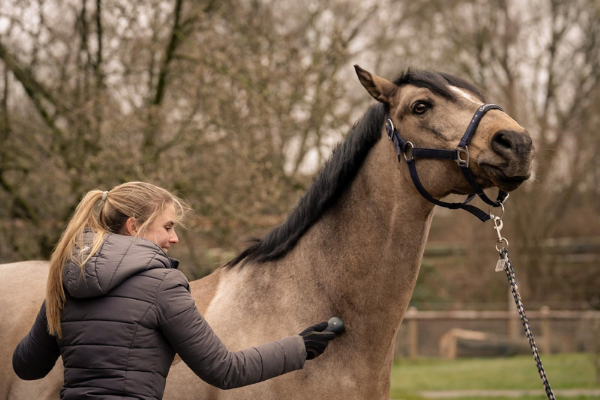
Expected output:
{"points": [[102, 213]]}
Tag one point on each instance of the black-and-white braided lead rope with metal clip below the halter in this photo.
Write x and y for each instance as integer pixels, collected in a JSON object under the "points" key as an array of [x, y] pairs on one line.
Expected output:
{"points": [[504, 264]]}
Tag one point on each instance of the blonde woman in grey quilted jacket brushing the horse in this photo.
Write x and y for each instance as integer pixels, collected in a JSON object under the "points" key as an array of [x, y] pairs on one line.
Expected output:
{"points": [[117, 309]]}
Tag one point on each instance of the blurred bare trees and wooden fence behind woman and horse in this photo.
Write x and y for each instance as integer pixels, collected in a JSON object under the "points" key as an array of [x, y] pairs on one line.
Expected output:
{"points": [[236, 105]]}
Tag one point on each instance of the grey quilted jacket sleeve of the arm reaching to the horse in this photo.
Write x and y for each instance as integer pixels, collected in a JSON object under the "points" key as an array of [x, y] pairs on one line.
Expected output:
{"points": [[201, 349]]}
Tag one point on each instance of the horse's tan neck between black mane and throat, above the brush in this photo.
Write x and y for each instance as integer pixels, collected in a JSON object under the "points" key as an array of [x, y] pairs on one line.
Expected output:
{"points": [[363, 255]]}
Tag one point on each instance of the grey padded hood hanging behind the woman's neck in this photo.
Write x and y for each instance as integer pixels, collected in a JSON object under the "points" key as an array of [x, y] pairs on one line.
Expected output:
{"points": [[118, 258]]}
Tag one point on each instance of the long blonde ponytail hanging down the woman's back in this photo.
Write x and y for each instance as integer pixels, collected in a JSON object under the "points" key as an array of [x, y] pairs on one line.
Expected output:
{"points": [[84, 217]]}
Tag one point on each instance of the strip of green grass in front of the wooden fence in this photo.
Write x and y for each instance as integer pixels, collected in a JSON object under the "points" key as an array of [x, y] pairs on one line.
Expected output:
{"points": [[564, 371]]}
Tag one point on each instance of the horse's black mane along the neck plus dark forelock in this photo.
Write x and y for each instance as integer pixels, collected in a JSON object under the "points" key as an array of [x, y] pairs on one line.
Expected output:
{"points": [[340, 170]]}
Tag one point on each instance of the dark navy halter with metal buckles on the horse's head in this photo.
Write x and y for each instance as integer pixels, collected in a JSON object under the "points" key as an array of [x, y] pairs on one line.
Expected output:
{"points": [[460, 155]]}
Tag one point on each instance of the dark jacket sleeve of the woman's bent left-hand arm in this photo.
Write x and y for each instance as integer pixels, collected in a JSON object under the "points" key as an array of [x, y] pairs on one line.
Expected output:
{"points": [[37, 353]]}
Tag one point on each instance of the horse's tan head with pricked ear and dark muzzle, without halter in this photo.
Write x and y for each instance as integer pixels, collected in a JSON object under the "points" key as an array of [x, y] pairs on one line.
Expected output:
{"points": [[433, 110]]}
